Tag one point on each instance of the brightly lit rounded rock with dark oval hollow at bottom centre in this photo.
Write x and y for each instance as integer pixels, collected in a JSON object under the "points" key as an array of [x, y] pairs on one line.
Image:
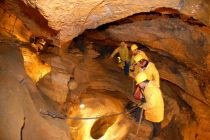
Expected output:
{"points": [[104, 128]]}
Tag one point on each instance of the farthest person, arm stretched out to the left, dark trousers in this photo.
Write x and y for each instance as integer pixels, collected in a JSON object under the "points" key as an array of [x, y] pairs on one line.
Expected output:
{"points": [[124, 56]]}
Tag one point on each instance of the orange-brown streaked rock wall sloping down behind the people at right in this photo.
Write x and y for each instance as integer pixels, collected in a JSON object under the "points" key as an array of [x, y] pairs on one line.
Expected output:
{"points": [[180, 52]]}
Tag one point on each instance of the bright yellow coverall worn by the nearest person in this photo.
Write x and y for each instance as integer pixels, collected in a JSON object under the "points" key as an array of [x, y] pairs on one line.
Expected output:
{"points": [[154, 106]]}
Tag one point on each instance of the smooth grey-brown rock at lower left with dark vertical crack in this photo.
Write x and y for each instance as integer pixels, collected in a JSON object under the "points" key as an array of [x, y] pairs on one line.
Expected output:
{"points": [[21, 101]]}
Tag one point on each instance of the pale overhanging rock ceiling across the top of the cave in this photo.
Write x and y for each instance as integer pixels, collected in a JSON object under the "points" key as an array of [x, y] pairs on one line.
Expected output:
{"points": [[68, 19]]}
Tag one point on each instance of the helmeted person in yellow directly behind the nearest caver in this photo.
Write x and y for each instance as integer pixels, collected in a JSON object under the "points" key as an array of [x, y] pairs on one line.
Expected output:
{"points": [[143, 65]]}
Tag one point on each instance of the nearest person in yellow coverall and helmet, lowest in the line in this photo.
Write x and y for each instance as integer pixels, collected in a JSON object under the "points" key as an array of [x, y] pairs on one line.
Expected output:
{"points": [[153, 106]]}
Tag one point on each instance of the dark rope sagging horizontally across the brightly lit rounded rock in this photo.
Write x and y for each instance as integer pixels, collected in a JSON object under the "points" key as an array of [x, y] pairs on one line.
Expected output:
{"points": [[61, 116]]}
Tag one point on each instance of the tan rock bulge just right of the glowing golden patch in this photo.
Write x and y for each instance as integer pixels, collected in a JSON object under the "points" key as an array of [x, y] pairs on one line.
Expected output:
{"points": [[54, 85]]}
